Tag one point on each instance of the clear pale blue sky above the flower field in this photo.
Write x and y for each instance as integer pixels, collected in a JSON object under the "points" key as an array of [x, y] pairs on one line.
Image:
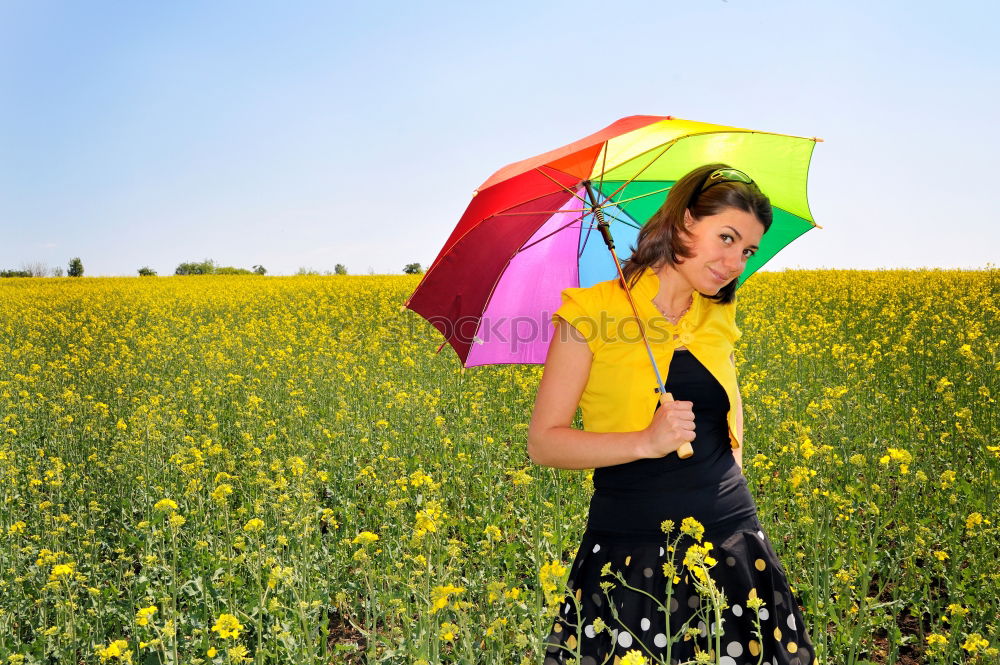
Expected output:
{"points": [[306, 134]]}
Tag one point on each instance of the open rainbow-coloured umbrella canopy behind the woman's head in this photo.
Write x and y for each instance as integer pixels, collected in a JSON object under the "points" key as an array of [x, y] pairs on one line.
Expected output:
{"points": [[531, 230]]}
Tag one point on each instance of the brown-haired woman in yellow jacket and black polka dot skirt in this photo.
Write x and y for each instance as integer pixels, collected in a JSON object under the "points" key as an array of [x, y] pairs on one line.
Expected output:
{"points": [[682, 277]]}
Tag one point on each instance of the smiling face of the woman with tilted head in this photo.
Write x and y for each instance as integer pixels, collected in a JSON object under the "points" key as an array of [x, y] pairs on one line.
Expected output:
{"points": [[721, 245]]}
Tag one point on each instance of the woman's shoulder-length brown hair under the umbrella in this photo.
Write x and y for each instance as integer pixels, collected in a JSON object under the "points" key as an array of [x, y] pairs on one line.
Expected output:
{"points": [[661, 239]]}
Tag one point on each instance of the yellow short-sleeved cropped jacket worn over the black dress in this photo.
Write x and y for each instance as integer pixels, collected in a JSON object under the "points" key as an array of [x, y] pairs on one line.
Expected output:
{"points": [[620, 392]]}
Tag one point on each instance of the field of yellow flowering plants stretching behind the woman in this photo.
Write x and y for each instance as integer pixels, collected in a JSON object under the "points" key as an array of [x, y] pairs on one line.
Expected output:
{"points": [[282, 470]]}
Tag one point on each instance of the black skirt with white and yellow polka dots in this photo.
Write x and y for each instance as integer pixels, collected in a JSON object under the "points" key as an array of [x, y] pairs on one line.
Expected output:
{"points": [[746, 567]]}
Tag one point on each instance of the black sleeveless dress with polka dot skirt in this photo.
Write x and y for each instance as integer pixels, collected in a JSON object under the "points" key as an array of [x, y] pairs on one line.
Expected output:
{"points": [[624, 533]]}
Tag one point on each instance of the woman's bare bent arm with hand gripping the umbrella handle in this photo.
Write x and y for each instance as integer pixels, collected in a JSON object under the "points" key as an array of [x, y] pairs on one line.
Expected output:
{"points": [[553, 442]]}
